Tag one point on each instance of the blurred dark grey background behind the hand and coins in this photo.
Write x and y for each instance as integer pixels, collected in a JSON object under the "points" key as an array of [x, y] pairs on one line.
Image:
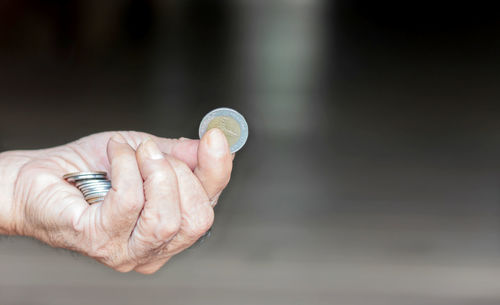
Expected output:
{"points": [[371, 174]]}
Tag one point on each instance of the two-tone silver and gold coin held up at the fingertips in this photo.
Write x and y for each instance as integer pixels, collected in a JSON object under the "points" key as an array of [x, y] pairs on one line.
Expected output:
{"points": [[230, 122]]}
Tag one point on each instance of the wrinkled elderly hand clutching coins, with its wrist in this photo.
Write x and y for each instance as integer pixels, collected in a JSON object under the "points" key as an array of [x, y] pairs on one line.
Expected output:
{"points": [[161, 201]]}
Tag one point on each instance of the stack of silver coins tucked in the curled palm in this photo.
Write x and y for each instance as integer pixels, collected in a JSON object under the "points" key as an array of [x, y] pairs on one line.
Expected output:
{"points": [[93, 185]]}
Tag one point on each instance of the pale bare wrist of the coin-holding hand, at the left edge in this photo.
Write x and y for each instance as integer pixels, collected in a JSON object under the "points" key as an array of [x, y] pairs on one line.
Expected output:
{"points": [[11, 163]]}
